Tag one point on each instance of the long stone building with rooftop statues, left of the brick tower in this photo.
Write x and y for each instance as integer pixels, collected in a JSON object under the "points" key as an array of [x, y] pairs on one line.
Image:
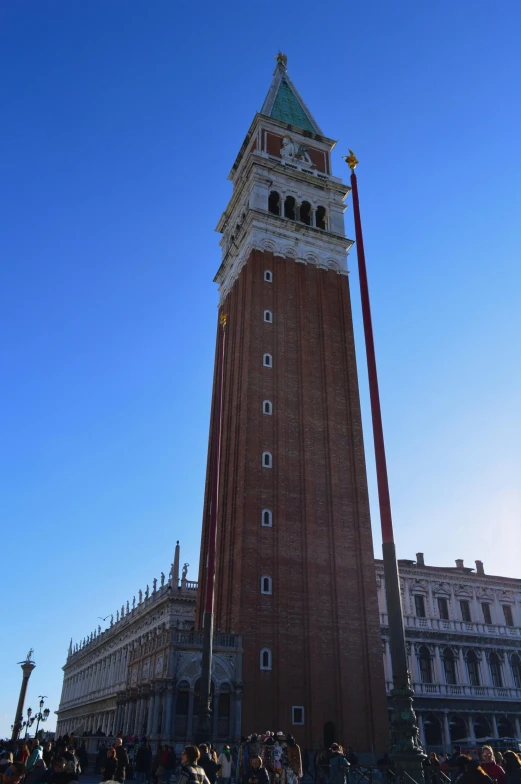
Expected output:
{"points": [[141, 675]]}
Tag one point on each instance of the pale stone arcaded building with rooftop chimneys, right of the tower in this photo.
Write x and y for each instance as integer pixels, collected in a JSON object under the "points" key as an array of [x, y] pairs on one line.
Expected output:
{"points": [[463, 632]]}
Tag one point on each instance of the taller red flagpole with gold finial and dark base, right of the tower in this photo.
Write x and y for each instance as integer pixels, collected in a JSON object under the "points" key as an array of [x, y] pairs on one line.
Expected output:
{"points": [[406, 747]]}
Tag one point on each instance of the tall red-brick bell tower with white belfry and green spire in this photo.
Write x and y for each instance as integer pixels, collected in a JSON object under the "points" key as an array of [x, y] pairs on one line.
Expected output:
{"points": [[294, 567]]}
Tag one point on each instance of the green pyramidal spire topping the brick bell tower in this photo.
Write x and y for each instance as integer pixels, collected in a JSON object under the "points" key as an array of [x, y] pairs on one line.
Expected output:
{"points": [[284, 103]]}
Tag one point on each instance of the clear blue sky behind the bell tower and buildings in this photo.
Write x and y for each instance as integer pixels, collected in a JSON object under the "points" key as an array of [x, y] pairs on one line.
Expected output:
{"points": [[120, 122]]}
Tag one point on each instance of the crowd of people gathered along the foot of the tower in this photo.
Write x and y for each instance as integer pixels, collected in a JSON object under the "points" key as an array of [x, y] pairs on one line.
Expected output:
{"points": [[270, 758]]}
